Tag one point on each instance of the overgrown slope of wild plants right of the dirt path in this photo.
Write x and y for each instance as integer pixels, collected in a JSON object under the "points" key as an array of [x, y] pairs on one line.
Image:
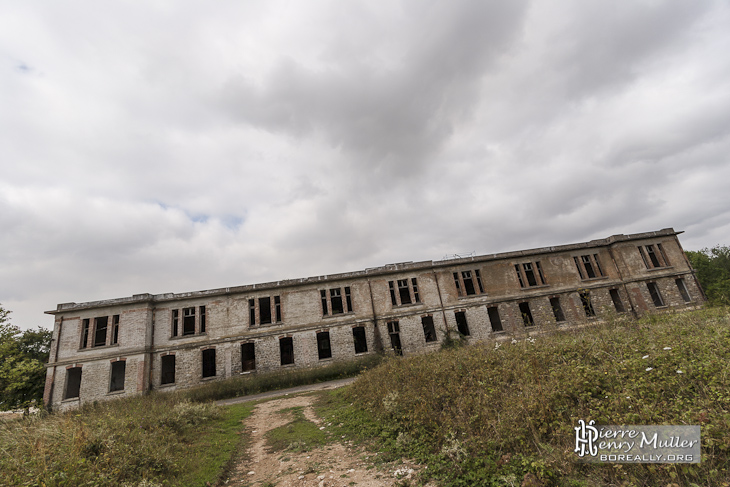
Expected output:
{"points": [[492, 414]]}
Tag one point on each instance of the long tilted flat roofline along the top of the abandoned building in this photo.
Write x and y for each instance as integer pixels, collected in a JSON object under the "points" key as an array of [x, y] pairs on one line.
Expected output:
{"points": [[372, 271]]}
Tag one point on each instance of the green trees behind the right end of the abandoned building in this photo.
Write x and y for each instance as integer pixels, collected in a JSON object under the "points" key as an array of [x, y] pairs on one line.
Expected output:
{"points": [[713, 272]]}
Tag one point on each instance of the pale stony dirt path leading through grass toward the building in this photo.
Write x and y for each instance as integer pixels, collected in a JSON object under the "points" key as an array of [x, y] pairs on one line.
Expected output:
{"points": [[337, 464]]}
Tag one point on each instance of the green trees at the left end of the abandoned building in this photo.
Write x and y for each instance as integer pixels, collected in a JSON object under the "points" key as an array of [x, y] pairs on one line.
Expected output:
{"points": [[22, 358]]}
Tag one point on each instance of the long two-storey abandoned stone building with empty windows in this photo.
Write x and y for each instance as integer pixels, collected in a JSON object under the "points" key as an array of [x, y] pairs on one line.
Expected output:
{"points": [[119, 347]]}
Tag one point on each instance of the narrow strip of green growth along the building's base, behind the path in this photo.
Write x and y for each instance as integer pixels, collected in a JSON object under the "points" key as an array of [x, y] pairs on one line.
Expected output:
{"points": [[245, 385]]}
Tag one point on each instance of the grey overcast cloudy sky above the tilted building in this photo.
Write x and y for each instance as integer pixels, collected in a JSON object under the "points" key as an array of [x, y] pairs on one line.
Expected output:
{"points": [[178, 145]]}
